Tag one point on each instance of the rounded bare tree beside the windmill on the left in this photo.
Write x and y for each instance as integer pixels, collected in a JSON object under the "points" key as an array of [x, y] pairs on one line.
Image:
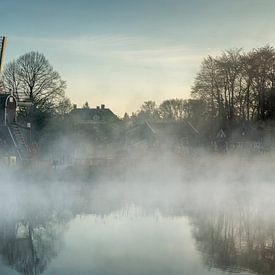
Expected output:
{"points": [[32, 77]]}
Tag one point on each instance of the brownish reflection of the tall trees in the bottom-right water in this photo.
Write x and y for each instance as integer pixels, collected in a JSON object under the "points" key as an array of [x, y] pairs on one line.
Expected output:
{"points": [[236, 239]]}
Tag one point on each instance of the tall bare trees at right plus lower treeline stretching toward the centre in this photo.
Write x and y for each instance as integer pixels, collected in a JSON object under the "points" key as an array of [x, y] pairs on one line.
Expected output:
{"points": [[235, 86]]}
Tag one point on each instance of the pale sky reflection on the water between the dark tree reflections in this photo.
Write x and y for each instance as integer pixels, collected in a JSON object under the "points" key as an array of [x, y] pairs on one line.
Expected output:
{"points": [[131, 241]]}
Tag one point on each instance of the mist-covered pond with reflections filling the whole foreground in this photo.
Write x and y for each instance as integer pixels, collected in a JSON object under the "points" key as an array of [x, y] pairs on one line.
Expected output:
{"points": [[159, 214]]}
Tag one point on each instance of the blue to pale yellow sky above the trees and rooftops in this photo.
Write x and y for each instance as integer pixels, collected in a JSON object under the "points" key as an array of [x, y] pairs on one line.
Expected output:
{"points": [[124, 52]]}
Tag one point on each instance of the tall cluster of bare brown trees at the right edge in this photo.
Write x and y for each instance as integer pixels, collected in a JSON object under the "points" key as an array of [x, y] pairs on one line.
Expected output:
{"points": [[238, 86]]}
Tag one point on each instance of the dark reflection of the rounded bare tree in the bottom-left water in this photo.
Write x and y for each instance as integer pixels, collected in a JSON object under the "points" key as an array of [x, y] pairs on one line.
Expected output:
{"points": [[28, 246]]}
